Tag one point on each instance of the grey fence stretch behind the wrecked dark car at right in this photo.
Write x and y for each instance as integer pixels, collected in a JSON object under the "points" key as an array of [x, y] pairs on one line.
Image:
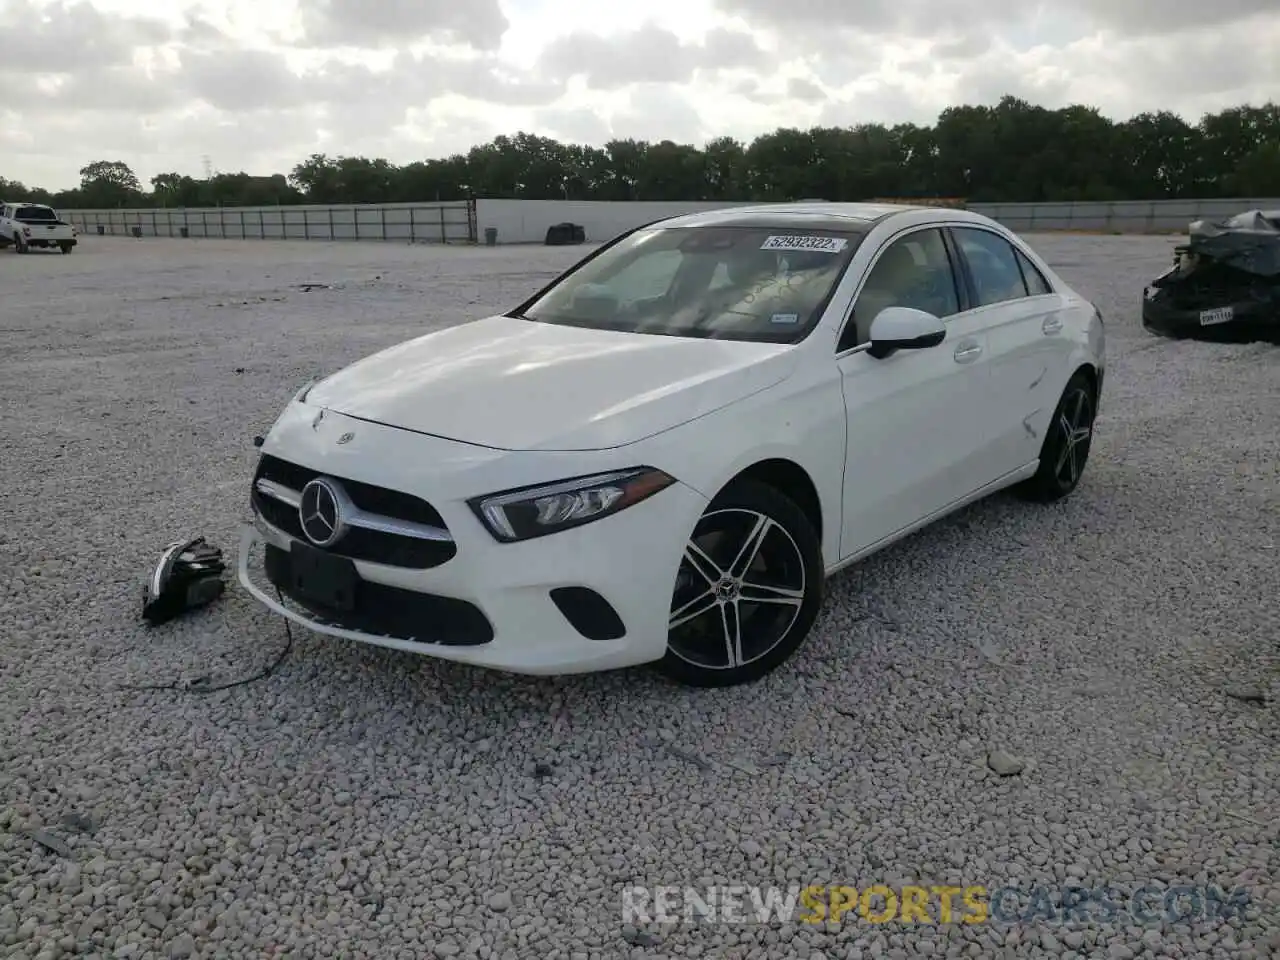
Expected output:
{"points": [[1119, 217]]}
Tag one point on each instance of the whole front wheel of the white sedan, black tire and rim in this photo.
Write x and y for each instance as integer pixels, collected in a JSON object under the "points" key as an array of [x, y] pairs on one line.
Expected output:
{"points": [[748, 591]]}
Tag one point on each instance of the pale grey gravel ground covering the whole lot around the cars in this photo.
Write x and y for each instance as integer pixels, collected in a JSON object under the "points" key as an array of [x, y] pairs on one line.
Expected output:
{"points": [[1119, 647]]}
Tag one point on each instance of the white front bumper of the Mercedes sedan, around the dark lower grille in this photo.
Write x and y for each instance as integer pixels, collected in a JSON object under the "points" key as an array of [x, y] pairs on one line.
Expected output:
{"points": [[492, 604]]}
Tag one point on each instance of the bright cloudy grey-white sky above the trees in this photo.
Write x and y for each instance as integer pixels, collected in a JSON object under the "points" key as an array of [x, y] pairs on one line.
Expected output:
{"points": [[259, 85]]}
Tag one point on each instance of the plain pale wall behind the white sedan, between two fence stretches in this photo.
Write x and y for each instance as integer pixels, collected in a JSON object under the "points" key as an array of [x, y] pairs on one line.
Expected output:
{"points": [[527, 221]]}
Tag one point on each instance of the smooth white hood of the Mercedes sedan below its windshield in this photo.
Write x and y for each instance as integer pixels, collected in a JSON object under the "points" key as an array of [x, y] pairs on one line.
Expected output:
{"points": [[524, 386]]}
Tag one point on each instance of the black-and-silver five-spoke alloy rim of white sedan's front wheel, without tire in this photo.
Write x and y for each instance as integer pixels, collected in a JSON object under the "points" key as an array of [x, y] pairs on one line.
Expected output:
{"points": [[739, 591]]}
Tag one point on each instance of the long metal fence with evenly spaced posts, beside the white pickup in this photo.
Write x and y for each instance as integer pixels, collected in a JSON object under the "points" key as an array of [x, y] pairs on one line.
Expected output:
{"points": [[447, 222]]}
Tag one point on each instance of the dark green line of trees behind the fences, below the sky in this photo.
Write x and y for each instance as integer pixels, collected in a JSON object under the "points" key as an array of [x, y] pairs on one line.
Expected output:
{"points": [[1011, 152]]}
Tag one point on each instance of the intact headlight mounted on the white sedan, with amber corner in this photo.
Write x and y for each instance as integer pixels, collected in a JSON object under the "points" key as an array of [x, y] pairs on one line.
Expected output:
{"points": [[537, 511]]}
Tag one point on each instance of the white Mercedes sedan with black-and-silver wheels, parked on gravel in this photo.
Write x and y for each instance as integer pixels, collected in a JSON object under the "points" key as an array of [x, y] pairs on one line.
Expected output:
{"points": [[664, 455]]}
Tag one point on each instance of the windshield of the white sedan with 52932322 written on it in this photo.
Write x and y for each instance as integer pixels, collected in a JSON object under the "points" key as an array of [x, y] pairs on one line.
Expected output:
{"points": [[742, 284]]}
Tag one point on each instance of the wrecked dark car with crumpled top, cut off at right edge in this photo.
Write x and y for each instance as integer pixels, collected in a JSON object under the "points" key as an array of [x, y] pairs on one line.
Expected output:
{"points": [[1226, 282]]}
